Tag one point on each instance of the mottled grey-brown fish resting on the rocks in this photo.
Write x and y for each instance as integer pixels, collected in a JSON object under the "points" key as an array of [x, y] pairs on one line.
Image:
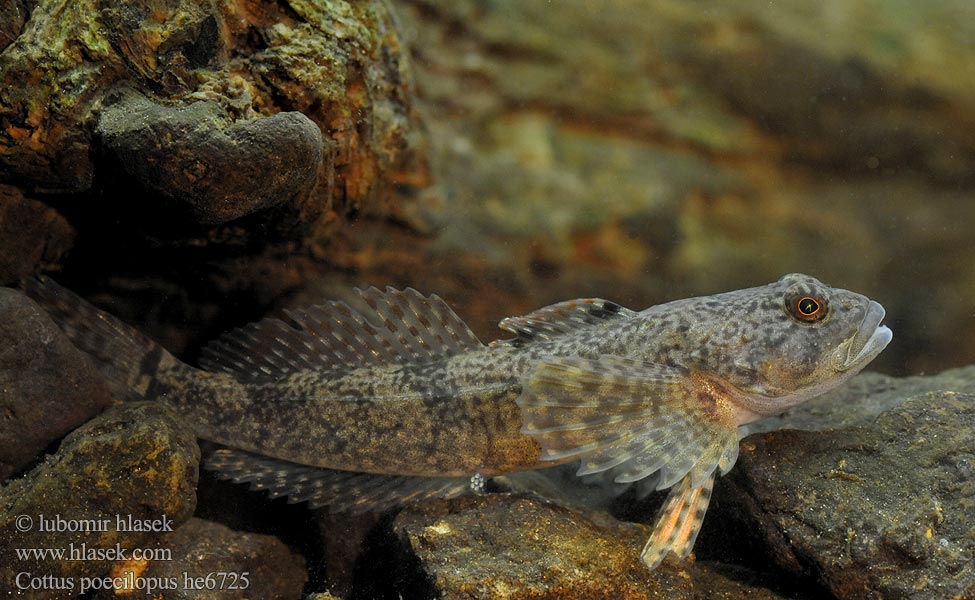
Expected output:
{"points": [[399, 401]]}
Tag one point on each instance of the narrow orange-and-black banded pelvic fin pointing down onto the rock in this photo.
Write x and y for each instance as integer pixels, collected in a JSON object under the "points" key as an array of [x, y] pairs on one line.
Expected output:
{"points": [[679, 521]]}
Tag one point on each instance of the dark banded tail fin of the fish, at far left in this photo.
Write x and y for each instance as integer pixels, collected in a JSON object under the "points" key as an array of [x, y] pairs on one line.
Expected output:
{"points": [[129, 360]]}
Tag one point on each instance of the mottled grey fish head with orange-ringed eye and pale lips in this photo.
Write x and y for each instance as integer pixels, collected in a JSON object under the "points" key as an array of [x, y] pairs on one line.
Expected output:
{"points": [[779, 345]]}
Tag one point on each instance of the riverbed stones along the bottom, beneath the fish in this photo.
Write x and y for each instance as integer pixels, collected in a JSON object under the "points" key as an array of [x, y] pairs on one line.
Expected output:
{"points": [[864, 493]]}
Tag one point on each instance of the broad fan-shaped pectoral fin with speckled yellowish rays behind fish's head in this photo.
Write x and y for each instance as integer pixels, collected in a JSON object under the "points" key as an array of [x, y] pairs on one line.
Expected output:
{"points": [[632, 417]]}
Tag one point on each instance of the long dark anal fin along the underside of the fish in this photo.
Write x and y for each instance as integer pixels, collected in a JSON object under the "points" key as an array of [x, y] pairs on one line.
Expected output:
{"points": [[340, 491]]}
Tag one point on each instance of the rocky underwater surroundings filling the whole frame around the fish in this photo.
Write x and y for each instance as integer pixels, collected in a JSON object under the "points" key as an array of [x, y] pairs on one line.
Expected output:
{"points": [[191, 167]]}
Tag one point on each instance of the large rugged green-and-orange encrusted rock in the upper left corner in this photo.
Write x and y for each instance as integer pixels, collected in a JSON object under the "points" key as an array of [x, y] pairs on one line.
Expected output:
{"points": [[340, 64]]}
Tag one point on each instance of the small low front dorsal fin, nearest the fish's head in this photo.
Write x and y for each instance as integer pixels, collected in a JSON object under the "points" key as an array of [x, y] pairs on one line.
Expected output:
{"points": [[562, 318]]}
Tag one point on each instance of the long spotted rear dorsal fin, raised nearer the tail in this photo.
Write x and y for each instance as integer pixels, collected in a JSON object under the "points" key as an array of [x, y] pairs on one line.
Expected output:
{"points": [[395, 327]]}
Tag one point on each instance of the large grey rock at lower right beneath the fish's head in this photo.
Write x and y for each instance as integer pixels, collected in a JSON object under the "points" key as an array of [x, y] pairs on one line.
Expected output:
{"points": [[878, 511]]}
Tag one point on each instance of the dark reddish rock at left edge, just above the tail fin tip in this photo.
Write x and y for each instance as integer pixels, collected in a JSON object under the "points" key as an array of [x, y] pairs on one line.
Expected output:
{"points": [[31, 234]]}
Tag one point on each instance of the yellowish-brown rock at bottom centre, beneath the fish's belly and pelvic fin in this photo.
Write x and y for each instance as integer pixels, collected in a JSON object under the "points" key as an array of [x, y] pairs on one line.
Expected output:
{"points": [[503, 546]]}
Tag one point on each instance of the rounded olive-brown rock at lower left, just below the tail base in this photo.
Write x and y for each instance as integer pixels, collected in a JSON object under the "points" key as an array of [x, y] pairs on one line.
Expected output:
{"points": [[134, 463]]}
